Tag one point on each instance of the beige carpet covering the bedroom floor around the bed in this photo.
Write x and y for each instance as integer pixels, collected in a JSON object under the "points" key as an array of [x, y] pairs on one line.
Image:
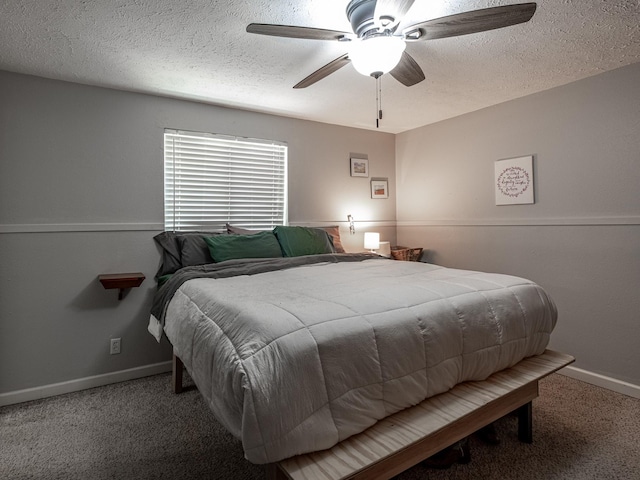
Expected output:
{"points": [[140, 430]]}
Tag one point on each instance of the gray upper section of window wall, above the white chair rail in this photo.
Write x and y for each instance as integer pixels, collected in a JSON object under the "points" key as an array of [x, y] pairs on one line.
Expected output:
{"points": [[78, 154]]}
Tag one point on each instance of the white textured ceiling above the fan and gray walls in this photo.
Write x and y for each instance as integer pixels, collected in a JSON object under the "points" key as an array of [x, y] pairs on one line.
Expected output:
{"points": [[199, 50]]}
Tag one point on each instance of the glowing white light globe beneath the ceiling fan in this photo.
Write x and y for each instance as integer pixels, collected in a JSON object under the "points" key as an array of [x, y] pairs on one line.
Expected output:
{"points": [[379, 54]]}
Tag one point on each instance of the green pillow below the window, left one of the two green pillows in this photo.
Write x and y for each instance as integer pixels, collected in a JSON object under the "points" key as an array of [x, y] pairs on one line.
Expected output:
{"points": [[229, 247]]}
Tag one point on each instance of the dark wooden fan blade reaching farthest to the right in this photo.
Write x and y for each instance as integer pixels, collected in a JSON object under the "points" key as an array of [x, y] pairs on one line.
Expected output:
{"points": [[471, 22]]}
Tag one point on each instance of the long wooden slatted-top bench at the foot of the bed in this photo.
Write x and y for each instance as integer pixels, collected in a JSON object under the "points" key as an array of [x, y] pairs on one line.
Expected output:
{"points": [[404, 439]]}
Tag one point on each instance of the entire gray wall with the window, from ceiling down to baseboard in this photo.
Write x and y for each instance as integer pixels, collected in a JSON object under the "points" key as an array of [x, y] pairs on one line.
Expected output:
{"points": [[81, 193]]}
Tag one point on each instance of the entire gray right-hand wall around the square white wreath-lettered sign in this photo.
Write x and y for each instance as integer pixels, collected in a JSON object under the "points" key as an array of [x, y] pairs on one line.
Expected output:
{"points": [[581, 238]]}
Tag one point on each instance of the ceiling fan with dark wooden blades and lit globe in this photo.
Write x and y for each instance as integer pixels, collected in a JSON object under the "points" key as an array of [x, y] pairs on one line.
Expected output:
{"points": [[376, 45]]}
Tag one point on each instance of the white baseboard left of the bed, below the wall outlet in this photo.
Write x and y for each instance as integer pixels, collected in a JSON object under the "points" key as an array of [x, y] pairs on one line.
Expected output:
{"points": [[70, 386]]}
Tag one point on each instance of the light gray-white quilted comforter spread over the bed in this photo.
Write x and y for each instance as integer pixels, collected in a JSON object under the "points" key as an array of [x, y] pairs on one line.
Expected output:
{"points": [[296, 360]]}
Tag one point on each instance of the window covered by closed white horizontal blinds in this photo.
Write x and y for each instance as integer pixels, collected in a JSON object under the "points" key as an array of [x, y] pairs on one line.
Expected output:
{"points": [[210, 180]]}
